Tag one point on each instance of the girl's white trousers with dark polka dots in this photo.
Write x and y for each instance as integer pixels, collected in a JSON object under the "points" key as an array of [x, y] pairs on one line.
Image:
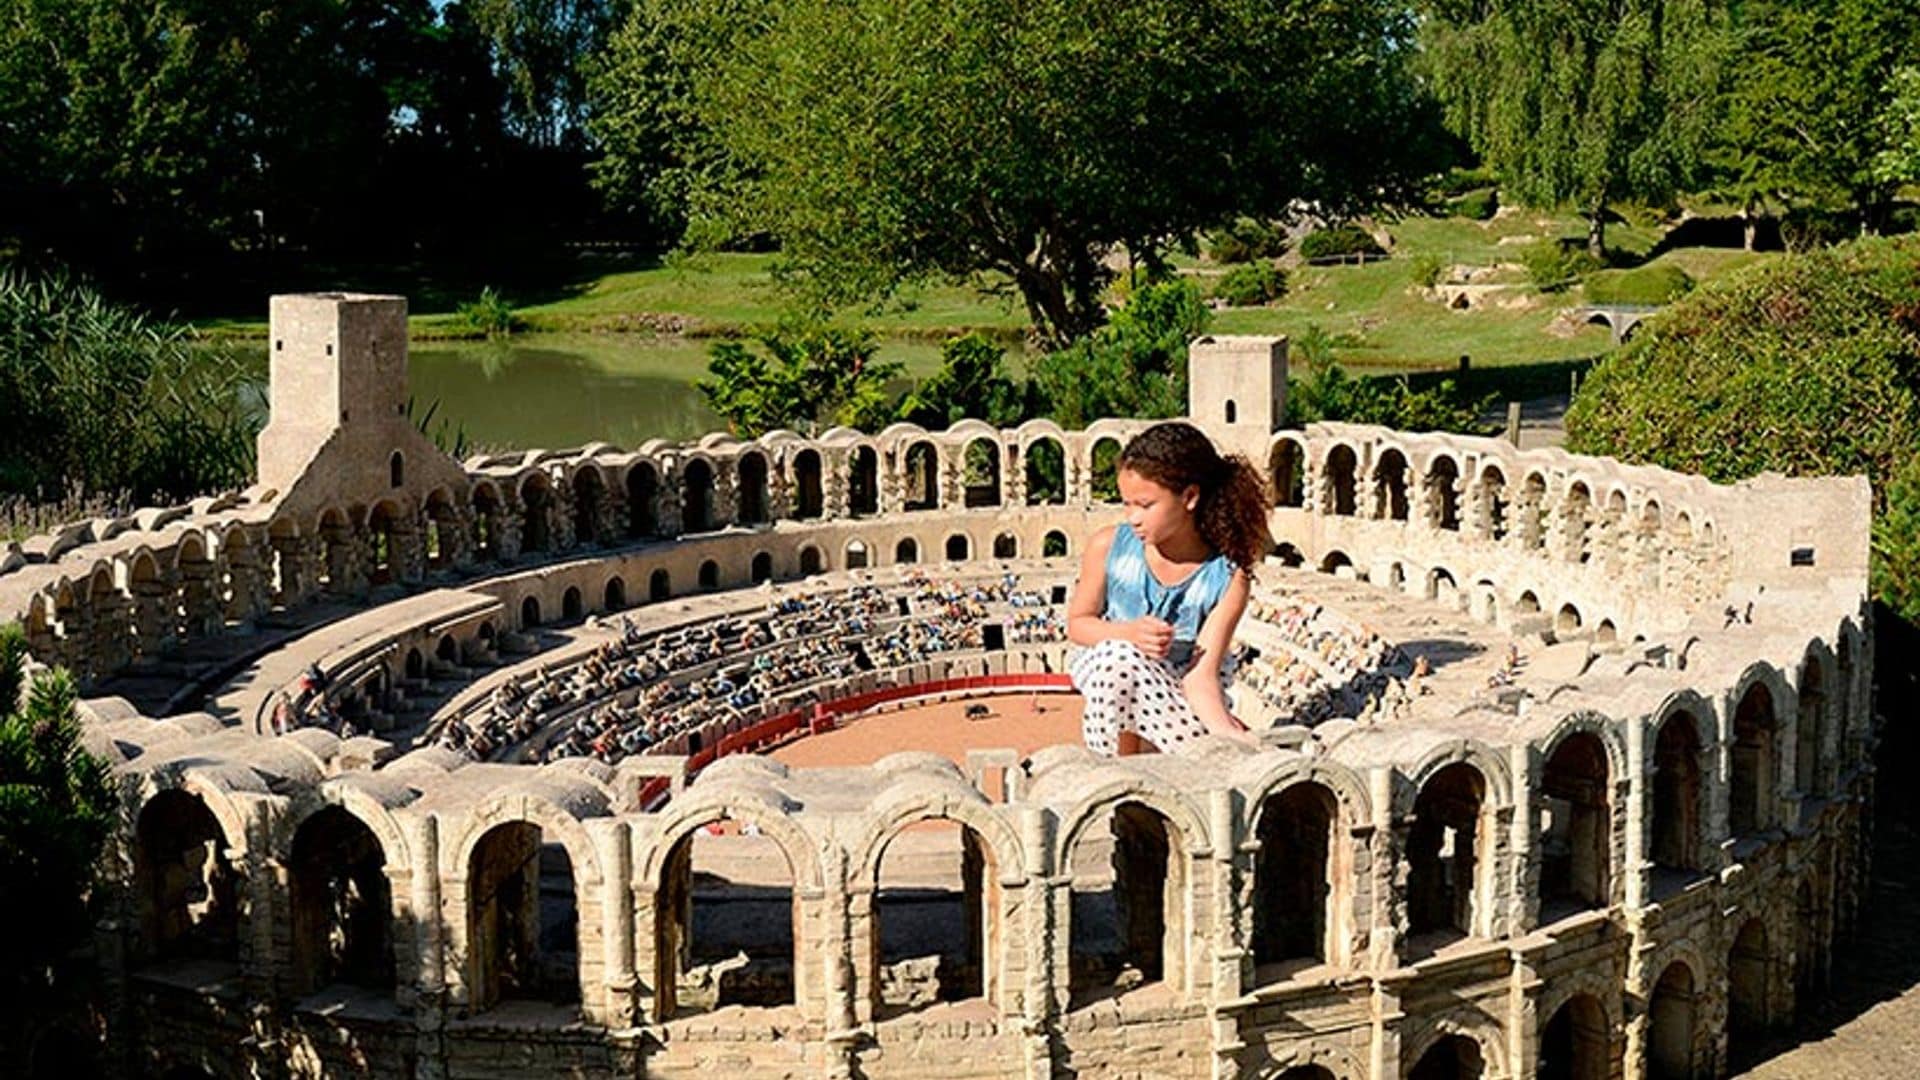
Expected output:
{"points": [[1130, 693]]}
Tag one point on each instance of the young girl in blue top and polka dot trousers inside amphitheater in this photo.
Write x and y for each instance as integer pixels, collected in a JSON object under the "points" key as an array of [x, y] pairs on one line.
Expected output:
{"points": [[1159, 597]]}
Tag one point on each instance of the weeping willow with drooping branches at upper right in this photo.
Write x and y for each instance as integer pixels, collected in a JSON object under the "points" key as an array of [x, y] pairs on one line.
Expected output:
{"points": [[1581, 103]]}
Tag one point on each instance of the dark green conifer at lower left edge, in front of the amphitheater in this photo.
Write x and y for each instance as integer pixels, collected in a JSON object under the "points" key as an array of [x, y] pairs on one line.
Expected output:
{"points": [[57, 814]]}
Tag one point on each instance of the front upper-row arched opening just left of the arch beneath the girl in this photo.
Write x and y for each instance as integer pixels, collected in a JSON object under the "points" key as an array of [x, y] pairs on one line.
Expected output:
{"points": [[936, 910]]}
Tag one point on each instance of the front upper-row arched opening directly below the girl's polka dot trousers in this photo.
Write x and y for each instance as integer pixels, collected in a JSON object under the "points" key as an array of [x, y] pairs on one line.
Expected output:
{"points": [[1128, 902]]}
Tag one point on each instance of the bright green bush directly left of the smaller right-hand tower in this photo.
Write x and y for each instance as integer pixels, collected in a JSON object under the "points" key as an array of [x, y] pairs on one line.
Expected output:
{"points": [[1132, 368]]}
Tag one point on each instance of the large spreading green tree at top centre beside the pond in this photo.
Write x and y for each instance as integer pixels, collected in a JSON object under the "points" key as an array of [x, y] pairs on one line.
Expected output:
{"points": [[1011, 143]]}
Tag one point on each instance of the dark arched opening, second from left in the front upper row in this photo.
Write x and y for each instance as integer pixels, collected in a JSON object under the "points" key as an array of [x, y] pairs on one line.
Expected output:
{"points": [[341, 904]]}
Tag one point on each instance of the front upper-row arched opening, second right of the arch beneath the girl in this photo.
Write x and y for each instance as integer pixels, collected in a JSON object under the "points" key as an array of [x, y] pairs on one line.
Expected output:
{"points": [[1445, 854]]}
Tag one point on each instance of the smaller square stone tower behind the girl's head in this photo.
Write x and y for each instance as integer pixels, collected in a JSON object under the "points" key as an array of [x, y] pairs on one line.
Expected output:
{"points": [[1237, 391]]}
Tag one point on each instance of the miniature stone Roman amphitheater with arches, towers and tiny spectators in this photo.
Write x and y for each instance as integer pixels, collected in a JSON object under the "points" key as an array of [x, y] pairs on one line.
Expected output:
{"points": [[462, 770]]}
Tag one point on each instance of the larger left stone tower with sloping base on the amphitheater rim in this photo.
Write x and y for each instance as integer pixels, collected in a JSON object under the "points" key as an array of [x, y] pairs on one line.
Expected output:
{"points": [[339, 431]]}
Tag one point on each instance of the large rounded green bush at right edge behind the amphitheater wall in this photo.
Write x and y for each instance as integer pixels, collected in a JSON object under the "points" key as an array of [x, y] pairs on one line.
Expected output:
{"points": [[1806, 366]]}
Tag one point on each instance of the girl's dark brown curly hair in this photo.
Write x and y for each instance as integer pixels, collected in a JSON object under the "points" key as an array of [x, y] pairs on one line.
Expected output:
{"points": [[1234, 499]]}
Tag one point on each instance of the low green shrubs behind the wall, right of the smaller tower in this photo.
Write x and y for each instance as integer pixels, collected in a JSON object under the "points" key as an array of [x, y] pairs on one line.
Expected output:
{"points": [[1330, 393]]}
